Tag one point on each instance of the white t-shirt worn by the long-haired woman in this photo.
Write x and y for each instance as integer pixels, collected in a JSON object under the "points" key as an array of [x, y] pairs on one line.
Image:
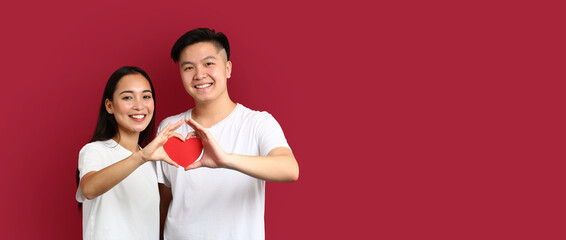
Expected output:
{"points": [[130, 210]]}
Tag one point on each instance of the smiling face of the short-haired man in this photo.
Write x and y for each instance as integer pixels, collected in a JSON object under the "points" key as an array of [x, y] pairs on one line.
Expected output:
{"points": [[205, 70]]}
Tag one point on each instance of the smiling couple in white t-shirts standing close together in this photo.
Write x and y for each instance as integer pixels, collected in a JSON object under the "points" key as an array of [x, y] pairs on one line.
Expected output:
{"points": [[222, 196]]}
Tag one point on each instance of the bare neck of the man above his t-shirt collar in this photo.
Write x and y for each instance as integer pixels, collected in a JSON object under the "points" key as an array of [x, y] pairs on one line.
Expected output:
{"points": [[209, 114]]}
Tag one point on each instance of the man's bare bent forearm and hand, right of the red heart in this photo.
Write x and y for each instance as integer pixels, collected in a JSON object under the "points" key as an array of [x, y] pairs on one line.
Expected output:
{"points": [[279, 165]]}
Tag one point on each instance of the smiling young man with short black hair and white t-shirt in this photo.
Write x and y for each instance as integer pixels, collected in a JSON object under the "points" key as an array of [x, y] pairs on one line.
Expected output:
{"points": [[222, 196]]}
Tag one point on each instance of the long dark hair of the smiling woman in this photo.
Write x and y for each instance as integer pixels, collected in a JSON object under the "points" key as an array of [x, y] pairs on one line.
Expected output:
{"points": [[106, 126]]}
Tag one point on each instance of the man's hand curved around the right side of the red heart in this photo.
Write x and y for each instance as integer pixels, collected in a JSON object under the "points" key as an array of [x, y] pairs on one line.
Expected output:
{"points": [[213, 156]]}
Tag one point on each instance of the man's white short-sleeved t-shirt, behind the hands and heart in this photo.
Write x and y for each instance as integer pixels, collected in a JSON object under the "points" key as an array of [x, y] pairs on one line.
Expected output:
{"points": [[221, 203]]}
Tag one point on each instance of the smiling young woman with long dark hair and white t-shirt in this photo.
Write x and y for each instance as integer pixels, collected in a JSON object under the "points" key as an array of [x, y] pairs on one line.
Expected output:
{"points": [[118, 183]]}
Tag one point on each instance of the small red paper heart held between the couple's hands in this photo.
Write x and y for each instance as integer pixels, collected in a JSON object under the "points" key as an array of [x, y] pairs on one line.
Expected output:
{"points": [[184, 153]]}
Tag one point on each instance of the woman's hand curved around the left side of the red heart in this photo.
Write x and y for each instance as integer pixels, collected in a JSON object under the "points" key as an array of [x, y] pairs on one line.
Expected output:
{"points": [[154, 150]]}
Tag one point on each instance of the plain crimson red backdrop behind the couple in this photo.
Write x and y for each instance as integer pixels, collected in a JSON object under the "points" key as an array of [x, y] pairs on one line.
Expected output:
{"points": [[410, 119]]}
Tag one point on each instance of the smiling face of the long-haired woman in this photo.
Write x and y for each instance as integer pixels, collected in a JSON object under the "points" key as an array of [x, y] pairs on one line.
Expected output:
{"points": [[132, 104]]}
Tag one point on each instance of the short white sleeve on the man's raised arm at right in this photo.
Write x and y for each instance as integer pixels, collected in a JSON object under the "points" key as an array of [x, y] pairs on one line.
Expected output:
{"points": [[270, 134]]}
